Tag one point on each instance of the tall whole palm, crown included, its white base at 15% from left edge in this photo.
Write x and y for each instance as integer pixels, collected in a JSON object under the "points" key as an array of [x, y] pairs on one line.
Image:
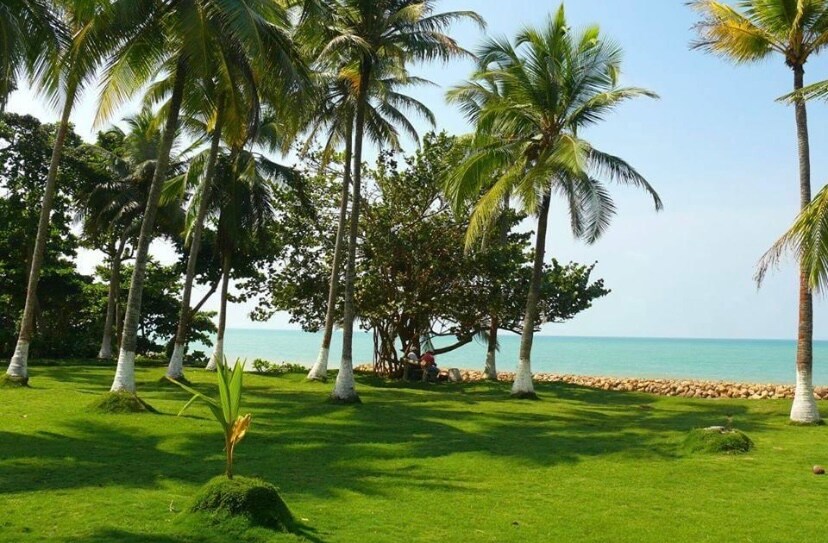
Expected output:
{"points": [[181, 39]]}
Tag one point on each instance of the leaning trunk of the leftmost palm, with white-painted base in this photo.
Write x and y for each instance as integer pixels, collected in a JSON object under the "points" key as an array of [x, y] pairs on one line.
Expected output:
{"points": [[19, 366]]}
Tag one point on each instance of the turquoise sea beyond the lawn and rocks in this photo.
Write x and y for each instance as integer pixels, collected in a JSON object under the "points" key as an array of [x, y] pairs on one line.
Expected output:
{"points": [[756, 361]]}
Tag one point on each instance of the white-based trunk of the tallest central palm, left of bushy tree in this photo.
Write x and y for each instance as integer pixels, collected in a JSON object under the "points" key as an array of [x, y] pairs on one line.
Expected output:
{"points": [[345, 388]]}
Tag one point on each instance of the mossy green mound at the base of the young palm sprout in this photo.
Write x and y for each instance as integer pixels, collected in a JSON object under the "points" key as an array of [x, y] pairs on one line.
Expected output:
{"points": [[257, 501]]}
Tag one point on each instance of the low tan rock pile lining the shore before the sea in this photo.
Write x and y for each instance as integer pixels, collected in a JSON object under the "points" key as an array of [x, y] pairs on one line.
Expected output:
{"points": [[687, 388]]}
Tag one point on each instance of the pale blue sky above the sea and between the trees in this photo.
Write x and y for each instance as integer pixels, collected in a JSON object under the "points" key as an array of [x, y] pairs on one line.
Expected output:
{"points": [[717, 146]]}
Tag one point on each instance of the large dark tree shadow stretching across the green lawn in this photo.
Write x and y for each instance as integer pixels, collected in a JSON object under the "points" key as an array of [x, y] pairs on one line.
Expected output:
{"points": [[308, 446]]}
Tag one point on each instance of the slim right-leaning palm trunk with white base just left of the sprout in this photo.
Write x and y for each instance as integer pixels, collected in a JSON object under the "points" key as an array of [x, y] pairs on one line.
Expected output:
{"points": [[175, 370]]}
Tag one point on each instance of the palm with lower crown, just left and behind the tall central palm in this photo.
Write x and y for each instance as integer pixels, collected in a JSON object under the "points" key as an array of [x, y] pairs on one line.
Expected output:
{"points": [[385, 111]]}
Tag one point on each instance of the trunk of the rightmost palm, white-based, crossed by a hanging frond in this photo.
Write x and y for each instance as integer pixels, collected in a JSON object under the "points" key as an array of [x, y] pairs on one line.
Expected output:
{"points": [[804, 408]]}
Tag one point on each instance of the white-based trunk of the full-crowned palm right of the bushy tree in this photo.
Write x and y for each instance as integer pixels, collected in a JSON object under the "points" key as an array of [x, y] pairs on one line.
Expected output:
{"points": [[522, 387]]}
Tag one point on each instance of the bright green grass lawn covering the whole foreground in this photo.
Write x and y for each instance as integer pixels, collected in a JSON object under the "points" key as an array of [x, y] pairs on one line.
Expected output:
{"points": [[416, 463]]}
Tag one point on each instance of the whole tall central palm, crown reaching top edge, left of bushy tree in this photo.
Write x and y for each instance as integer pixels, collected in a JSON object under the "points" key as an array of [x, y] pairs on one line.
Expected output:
{"points": [[366, 34]]}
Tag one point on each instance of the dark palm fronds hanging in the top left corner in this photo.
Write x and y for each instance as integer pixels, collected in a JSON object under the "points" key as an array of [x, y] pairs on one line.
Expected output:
{"points": [[30, 33]]}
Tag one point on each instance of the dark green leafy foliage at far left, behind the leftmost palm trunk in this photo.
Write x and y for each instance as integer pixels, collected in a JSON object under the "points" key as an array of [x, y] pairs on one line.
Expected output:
{"points": [[70, 306]]}
